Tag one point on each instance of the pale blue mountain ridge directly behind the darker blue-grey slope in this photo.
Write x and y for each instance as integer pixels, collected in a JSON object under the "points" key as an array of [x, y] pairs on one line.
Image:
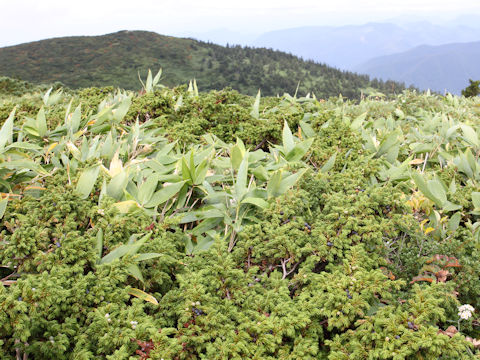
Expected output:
{"points": [[346, 47]]}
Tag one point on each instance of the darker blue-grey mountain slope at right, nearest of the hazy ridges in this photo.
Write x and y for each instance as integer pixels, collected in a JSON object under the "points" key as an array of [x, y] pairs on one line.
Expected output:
{"points": [[445, 67]]}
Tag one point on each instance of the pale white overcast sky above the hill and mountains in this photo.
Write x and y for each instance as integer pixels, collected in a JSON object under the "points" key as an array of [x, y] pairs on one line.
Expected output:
{"points": [[30, 20]]}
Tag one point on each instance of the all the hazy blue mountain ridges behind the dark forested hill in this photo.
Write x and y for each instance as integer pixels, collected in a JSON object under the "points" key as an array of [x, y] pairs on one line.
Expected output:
{"points": [[404, 49]]}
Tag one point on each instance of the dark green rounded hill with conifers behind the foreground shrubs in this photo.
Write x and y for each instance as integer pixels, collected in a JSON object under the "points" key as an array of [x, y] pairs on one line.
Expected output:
{"points": [[115, 59]]}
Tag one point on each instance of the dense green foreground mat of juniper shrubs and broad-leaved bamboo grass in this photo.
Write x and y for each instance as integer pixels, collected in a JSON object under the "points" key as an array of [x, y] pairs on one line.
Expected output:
{"points": [[178, 224]]}
